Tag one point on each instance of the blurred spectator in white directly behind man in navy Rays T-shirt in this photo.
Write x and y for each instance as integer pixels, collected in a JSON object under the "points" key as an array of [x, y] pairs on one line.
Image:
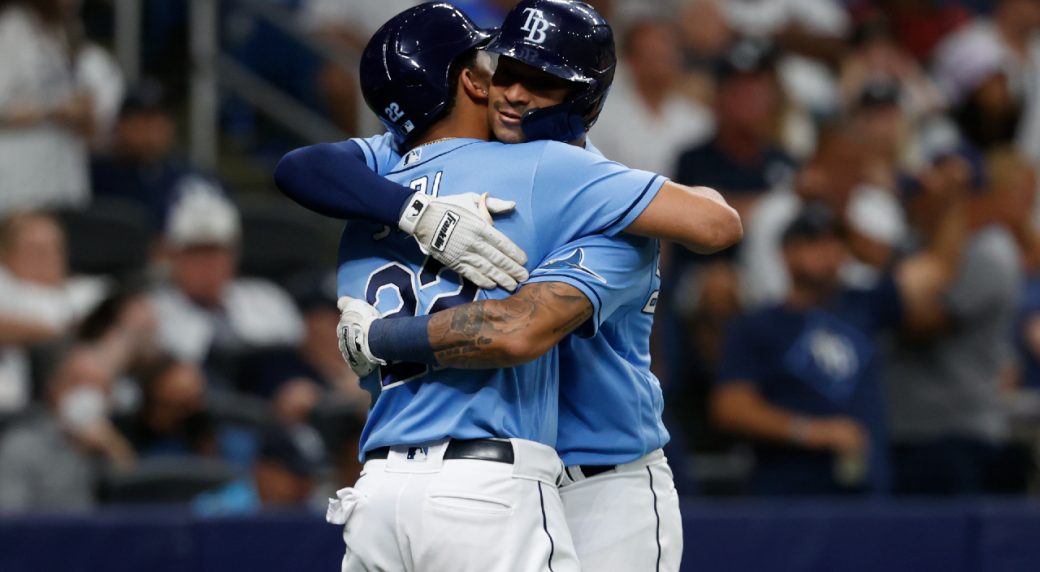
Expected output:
{"points": [[836, 178]]}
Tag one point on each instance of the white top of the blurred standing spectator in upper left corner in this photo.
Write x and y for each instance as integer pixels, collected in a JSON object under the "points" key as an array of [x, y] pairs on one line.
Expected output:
{"points": [[45, 165]]}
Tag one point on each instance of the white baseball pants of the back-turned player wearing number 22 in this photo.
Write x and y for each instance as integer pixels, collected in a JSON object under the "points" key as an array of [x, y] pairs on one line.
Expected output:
{"points": [[421, 513]]}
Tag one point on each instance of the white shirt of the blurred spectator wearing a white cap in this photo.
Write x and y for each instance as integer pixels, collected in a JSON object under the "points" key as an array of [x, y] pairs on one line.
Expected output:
{"points": [[258, 313]]}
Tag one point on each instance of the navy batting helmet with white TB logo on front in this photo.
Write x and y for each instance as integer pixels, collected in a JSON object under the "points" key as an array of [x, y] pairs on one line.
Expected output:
{"points": [[568, 40]]}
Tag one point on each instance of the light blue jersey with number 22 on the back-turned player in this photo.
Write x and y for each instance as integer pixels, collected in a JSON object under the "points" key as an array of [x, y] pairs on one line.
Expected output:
{"points": [[556, 187]]}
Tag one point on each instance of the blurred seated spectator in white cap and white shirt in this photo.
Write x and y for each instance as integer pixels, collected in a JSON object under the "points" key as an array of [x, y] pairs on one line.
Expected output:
{"points": [[207, 316]]}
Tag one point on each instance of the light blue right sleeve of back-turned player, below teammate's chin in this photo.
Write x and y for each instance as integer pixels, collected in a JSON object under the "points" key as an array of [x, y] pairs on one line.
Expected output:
{"points": [[588, 194]]}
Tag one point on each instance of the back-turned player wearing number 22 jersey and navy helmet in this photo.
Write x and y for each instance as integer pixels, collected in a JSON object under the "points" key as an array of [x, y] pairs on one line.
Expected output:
{"points": [[439, 492]]}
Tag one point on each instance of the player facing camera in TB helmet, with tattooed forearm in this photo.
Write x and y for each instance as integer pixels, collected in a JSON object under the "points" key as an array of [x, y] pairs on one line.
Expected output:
{"points": [[618, 491]]}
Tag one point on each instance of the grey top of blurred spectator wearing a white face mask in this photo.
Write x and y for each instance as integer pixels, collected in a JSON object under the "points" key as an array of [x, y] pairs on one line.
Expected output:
{"points": [[42, 470]]}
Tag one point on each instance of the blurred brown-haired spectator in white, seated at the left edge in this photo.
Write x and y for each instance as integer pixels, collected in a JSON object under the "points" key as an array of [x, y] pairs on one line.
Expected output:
{"points": [[39, 302]]}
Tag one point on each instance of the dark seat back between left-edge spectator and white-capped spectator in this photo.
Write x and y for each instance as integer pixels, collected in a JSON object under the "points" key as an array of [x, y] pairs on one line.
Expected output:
{"points": [[110, 238]]}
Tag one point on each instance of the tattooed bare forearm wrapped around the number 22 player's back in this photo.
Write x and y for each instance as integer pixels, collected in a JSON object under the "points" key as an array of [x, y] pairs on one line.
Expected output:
{"points": [[504, 333]]}
